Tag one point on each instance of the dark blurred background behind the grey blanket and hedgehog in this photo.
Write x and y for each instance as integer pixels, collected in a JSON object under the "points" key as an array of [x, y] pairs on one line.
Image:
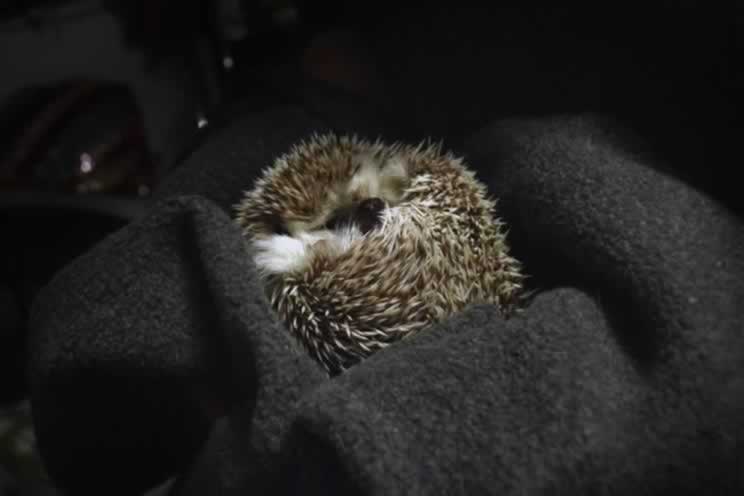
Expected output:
{"points": [[135, 85]]}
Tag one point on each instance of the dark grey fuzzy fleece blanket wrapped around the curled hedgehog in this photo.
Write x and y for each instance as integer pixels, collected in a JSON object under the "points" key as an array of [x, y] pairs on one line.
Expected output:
{"points": [[155, 357]]}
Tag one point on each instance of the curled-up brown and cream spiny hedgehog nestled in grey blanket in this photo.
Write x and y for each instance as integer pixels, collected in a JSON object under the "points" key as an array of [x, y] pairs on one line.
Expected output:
{"points": [[361, 244]]}
